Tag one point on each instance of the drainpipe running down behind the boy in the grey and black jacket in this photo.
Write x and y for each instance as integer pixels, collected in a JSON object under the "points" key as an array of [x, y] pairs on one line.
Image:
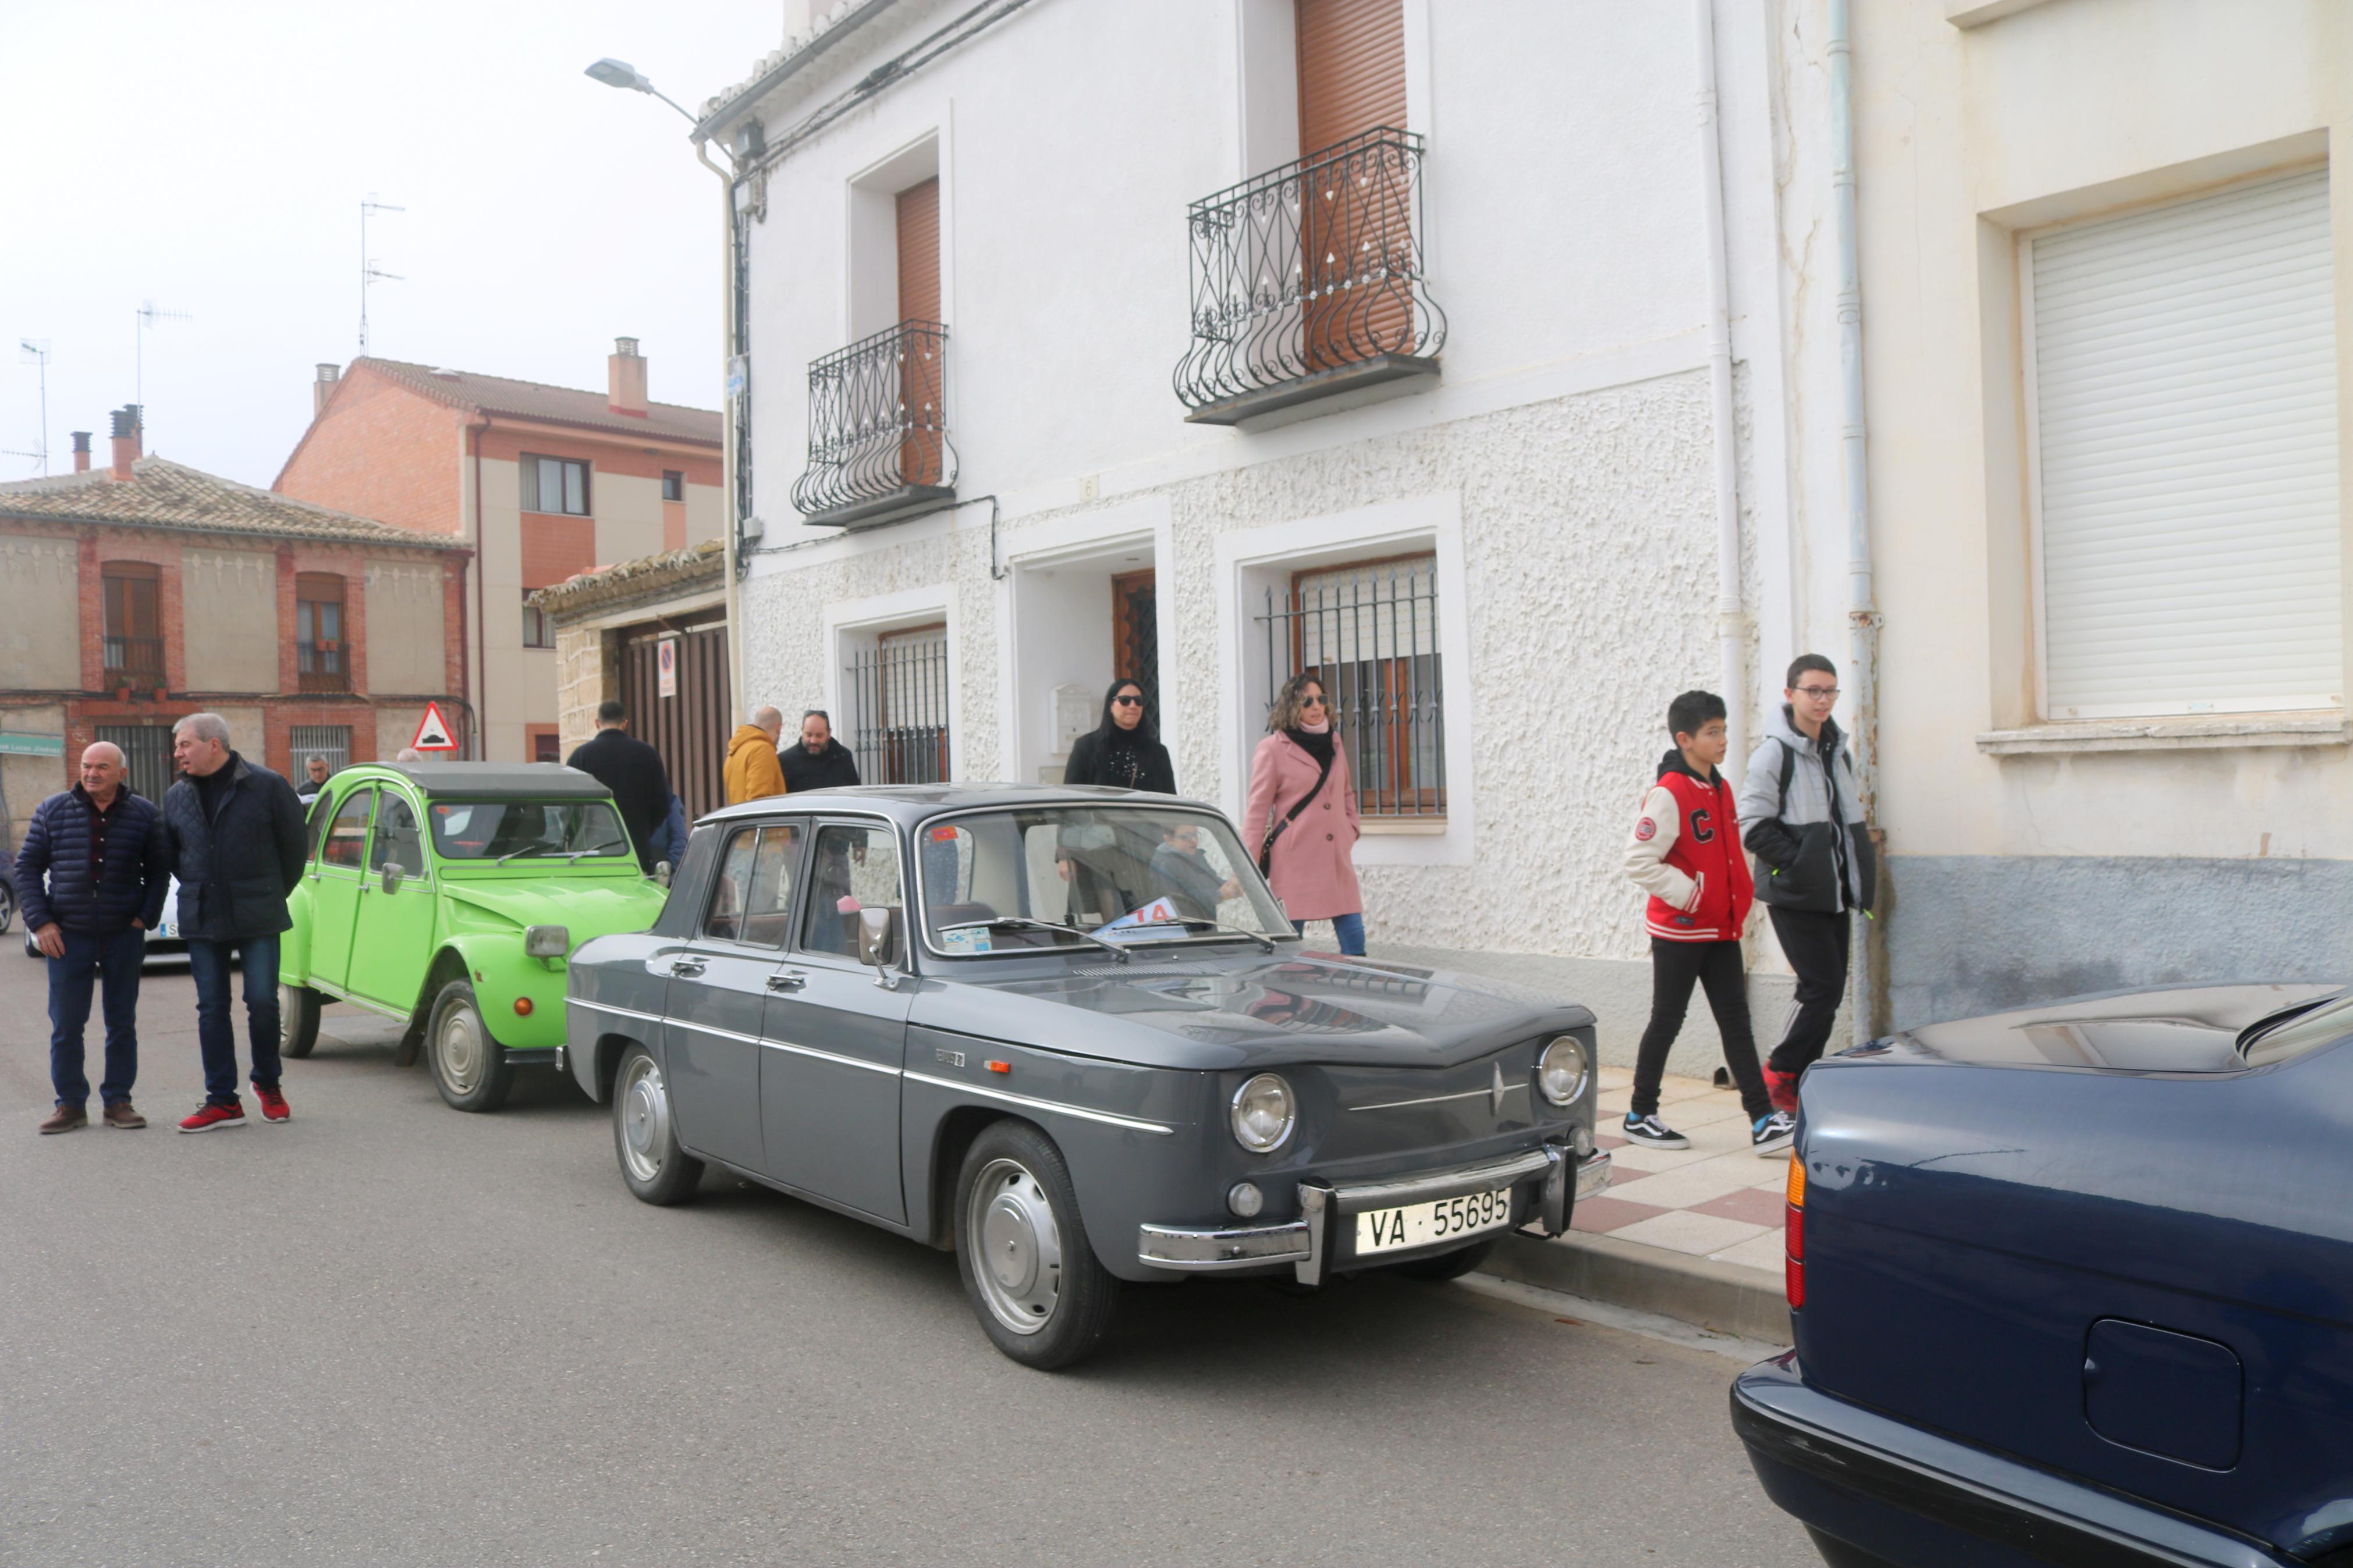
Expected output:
{"points": [[1862, 610]]}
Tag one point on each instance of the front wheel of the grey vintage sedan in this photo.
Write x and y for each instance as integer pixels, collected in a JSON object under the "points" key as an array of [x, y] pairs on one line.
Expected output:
{"points": [[1020, 1245]]}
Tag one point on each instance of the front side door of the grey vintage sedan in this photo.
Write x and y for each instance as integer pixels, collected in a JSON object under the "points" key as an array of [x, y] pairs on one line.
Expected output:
{"points": [[829, 1080]]}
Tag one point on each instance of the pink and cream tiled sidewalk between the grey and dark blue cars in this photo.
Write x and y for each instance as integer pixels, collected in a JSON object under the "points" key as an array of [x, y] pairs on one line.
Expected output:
{"points": [[1714, 1200]]}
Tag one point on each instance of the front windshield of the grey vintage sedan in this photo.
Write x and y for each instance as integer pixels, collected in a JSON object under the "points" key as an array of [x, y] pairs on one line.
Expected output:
{"points": [[1128, 876]]}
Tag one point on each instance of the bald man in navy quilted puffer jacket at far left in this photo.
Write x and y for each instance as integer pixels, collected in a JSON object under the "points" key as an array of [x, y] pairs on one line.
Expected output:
{"points": [[93, 876]]}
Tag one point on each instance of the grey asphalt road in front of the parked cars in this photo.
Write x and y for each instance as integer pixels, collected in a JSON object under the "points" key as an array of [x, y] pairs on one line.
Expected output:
{"points": [[394, 1334]]}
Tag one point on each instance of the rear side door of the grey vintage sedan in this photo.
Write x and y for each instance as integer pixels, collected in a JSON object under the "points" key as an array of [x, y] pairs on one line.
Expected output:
{"points": [[719, 989]]}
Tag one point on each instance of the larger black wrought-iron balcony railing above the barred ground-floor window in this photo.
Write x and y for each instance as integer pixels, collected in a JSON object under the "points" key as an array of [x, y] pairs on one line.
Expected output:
{"points": [[1309, 283]]}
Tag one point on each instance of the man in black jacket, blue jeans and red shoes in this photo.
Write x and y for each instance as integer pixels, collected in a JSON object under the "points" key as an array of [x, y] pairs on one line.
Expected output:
{"points": [[236, 838]]}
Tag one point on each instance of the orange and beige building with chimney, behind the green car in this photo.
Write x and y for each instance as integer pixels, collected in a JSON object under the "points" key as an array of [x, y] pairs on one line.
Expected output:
{"points": [[542, 481]]}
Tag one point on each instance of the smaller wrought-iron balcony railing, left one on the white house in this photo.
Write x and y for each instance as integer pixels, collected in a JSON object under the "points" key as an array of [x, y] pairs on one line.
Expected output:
{"points": [[879, 427]]}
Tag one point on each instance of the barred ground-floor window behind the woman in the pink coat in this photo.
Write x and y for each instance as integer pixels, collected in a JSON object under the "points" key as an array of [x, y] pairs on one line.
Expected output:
{"points": [[1368, 634]]}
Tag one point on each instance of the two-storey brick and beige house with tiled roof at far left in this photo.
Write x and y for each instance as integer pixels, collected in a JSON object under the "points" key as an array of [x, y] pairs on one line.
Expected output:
{"points": [[145, 591]]}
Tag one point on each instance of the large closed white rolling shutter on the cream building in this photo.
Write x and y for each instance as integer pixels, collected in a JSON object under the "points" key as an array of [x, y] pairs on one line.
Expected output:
{"points": [[2185, 377]]}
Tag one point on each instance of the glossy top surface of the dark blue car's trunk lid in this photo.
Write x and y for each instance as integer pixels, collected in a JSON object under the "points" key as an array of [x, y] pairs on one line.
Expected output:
{"points": [[2152, 1031]]}
